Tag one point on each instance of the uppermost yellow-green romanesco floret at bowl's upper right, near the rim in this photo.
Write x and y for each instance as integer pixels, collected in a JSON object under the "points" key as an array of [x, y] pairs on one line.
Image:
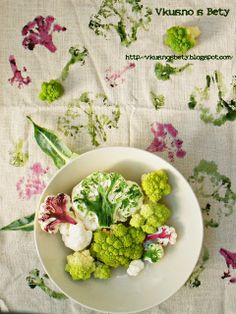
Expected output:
{"points": [[155, 185]]}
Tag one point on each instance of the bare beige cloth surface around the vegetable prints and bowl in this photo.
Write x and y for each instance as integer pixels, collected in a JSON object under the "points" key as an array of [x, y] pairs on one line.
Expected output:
{"points": [[201, 141]]}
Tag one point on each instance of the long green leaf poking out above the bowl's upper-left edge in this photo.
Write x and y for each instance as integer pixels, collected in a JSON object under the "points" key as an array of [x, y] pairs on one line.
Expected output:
{"points": [[52, 145]]}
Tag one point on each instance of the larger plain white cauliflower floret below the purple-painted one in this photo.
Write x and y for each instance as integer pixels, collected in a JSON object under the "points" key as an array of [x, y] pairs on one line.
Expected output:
{"points": [[75, 237]]}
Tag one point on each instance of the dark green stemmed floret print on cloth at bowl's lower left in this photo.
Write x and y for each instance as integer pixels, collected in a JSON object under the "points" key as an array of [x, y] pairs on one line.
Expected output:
{"points": [[34, 280]]}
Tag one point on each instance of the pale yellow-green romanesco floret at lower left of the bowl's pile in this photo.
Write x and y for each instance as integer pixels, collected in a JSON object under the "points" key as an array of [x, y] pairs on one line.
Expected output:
{"points": [[80, 265]]}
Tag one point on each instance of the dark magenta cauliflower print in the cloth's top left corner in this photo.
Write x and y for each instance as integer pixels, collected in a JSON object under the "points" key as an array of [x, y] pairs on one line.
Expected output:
{"points": [[39, 31]]}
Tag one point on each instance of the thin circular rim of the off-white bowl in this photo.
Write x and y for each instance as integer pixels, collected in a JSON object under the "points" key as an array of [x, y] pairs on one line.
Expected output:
{"points": [[108, 148]]}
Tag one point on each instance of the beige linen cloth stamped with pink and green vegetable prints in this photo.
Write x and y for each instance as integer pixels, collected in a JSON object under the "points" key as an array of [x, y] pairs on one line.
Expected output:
{"points": [[204, 152]]}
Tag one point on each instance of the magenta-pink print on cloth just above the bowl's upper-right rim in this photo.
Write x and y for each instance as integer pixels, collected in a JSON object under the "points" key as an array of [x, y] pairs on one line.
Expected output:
{"points": [[166, 140]]}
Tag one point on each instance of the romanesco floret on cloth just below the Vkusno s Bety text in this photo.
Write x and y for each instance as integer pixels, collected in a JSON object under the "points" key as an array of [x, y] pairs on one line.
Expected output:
{"points": [[180, 39]]}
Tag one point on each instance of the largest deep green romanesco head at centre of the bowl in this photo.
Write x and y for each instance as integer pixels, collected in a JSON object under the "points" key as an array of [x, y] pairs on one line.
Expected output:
{"points": [[118, 246]]}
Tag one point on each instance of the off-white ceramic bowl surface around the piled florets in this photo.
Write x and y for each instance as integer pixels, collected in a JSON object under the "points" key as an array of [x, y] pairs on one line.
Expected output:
{"points": [[156, 282]]}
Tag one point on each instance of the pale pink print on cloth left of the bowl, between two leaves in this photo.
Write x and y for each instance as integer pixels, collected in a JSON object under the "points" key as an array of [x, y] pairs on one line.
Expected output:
{"points": [[33, 183]]}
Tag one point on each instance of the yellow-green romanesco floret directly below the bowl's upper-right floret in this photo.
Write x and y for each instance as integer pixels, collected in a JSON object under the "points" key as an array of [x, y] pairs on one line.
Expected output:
{"points": [[151, 217]]}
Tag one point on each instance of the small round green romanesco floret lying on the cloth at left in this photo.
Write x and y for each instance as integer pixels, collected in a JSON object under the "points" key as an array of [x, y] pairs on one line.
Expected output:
{"points": [[51, 91]]}
